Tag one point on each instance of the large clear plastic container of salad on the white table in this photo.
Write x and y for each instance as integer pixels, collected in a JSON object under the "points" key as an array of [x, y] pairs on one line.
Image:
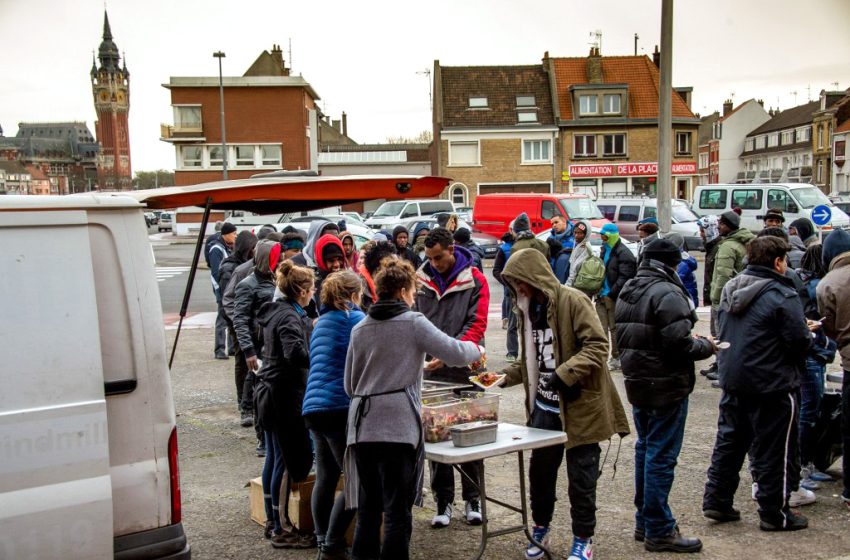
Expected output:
{"points": [[442, 412]]}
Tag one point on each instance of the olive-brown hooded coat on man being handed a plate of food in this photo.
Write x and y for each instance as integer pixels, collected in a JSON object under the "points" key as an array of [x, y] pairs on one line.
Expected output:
{"points": [[580, 348]]}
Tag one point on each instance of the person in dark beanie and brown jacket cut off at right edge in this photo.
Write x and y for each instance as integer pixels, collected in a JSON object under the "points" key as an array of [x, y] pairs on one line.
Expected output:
{"points": [[833, 293]]}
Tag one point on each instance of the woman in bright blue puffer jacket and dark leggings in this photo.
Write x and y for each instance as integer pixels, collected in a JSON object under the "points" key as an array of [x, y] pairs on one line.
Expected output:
{"points": [[326, 405]]}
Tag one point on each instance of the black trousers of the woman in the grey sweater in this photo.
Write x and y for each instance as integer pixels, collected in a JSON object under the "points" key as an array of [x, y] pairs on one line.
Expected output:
{"points": [[388, 488]]}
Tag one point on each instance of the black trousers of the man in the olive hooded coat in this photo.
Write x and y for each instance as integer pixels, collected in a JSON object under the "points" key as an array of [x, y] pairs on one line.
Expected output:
{"points": [[582, 473]]}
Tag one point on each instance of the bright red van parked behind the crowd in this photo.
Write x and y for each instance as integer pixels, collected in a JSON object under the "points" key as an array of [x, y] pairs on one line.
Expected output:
{"points": [[494, 212]]}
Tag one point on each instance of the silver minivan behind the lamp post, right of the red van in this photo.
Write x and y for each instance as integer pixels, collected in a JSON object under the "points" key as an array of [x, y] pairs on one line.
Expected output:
{"points": [[629, 211]]}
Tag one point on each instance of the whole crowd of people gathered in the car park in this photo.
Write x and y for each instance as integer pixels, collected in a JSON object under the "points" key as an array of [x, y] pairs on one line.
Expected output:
{"points": [[302, 314]]}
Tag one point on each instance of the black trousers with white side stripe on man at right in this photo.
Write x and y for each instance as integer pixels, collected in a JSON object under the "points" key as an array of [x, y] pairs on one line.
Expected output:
{"points": [[766, 425]]}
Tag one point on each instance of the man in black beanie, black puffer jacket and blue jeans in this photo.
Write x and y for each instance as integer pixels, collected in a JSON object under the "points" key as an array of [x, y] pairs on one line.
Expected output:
{"points": [[655, 318]]}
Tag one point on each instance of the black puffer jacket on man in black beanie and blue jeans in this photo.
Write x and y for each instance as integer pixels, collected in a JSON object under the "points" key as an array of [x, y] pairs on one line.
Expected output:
{"points": [[657, 351]]}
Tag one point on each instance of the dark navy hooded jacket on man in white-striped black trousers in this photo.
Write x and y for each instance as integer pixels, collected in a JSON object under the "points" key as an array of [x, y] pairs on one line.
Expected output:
{"points": [[762, 317]]}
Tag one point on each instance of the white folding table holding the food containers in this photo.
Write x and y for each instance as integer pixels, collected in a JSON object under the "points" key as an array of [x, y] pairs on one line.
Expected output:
{"points": [[510, 438]]}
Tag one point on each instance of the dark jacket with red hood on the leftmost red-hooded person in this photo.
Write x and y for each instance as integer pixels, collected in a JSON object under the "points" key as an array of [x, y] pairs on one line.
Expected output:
{"points": [[251, 293]]}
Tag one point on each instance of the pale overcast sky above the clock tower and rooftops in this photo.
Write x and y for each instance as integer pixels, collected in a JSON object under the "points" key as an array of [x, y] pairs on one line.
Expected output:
{"points": [[366, 58]]}
